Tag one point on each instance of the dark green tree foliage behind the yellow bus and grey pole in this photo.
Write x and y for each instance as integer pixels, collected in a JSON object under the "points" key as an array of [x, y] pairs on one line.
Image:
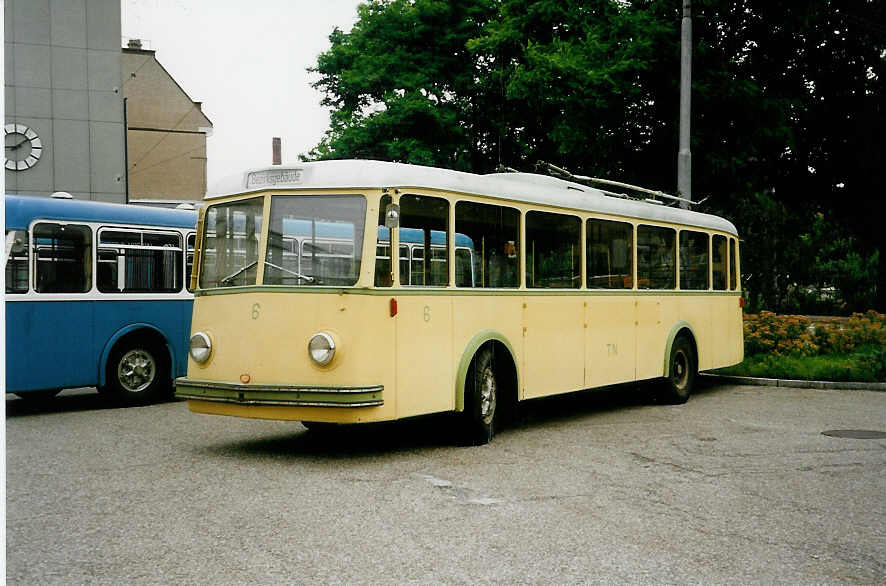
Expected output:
{"points": [[788, 112]]}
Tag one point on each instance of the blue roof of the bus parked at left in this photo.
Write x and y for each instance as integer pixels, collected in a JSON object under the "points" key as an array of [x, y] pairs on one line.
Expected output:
{"points": [[21, 210]]}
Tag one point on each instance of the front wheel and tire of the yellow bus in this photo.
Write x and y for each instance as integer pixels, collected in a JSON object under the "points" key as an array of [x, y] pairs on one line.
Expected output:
{"points": [[481, 399]]}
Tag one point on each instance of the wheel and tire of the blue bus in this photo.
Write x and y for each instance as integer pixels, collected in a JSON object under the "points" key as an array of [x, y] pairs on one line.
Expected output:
{"points": [[138, 373]]}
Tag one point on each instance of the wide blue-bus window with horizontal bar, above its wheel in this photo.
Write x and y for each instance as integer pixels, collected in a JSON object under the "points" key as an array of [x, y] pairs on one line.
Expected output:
{"points": [[135, 261]]}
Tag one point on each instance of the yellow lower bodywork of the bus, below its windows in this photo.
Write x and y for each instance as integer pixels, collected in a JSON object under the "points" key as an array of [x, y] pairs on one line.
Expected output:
{"points": [[561, 343]]}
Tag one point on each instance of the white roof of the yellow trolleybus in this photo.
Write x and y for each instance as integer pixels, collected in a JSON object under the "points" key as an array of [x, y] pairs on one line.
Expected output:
{"points": [[516, 187]]}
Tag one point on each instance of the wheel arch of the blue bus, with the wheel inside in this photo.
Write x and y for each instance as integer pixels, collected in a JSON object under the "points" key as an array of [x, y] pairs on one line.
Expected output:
{"points": [[137, 366]]}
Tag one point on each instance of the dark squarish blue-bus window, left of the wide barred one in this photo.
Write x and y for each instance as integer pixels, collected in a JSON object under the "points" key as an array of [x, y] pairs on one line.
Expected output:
{"points": [[63, 258]]}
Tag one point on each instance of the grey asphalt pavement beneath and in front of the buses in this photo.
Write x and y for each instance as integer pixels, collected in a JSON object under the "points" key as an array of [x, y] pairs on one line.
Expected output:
{"points": [[739, 486]]}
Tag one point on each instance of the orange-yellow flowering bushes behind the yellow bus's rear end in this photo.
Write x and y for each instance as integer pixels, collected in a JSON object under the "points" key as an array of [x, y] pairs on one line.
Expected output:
{"points": [[783, 335]]}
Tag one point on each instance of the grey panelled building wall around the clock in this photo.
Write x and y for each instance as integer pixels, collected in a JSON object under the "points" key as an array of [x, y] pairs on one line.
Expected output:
{"points": [[62, 78]]}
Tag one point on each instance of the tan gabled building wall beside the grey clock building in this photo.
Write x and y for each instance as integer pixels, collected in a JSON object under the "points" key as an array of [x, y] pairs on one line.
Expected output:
{"points": [[167, 132]]}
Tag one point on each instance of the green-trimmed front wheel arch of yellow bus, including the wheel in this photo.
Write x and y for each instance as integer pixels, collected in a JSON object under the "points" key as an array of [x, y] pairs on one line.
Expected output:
{"points": [[487, 387]]}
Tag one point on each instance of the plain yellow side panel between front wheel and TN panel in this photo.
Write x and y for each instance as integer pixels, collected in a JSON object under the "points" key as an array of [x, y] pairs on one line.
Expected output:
{"points": [[554, 341]]}
